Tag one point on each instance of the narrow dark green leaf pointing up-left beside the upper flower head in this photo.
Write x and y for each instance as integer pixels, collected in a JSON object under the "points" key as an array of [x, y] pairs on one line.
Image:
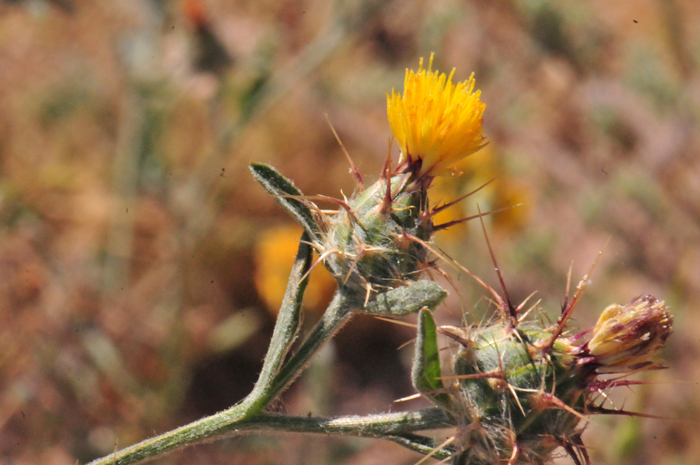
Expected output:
{"points": [[284, 190]]}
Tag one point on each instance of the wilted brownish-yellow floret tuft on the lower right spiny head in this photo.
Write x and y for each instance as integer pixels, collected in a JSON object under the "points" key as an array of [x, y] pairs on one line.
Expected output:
{"points": [[629, 336]]}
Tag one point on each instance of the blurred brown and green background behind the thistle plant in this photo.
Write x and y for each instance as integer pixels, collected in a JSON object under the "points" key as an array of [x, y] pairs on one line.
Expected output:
{"points": [[141, 267]]}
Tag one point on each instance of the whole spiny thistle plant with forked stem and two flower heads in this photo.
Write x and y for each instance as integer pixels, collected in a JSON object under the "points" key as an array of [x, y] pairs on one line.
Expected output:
{"points": [[513, 391]]}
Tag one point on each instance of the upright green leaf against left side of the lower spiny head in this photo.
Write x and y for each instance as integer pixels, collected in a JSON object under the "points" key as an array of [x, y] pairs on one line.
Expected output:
{"points": [[426, 371]]}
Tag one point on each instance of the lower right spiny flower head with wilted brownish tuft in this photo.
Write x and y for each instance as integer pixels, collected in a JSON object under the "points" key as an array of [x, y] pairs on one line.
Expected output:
{"points": [[519, 391]]}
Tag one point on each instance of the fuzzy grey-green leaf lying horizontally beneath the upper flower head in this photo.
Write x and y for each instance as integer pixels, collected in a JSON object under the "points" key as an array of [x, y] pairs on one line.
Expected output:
{"points": [[406, 300]]}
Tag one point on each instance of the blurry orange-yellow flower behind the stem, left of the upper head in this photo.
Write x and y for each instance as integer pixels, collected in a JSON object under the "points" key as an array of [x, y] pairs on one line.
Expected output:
{"points": [[275, 252]]}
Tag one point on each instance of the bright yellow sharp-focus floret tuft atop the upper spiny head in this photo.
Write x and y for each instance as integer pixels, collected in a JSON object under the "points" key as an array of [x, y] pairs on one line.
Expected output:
{"points": [[435, 122]]}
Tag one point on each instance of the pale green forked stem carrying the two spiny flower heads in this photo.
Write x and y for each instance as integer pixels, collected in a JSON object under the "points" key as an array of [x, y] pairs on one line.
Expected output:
{"points": [[275, 378]]}
